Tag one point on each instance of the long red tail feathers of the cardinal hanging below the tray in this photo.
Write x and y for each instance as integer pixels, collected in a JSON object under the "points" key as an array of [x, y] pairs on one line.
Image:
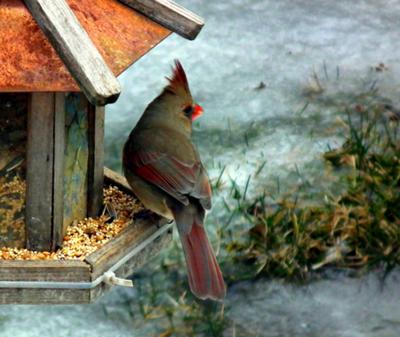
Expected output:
{"points": [[205, 277]]}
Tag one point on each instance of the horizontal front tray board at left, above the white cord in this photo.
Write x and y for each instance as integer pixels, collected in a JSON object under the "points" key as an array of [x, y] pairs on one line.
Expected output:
{"points": [[30, 270]]}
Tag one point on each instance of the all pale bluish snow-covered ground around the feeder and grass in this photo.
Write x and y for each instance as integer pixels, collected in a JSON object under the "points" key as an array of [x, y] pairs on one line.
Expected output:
{"points": [[246, 42]]}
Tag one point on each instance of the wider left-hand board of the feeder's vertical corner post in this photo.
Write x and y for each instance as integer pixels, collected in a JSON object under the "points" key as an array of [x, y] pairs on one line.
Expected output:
{"points": [[39, 172]]}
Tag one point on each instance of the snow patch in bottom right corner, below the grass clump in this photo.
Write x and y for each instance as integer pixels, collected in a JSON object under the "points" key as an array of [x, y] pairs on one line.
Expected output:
{"points": [[339, 307]]}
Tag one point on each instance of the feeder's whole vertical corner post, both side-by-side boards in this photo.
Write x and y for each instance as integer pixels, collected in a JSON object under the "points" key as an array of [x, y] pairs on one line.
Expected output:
{"points": [[44, 210]]}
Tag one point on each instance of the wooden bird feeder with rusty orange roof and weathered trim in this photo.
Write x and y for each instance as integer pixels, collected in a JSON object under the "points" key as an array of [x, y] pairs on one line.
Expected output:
{"points": [[58, 65]]}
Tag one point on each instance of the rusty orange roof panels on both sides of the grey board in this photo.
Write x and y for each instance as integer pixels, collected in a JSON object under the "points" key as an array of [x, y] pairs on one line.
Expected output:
{"points": [[28, 62]]}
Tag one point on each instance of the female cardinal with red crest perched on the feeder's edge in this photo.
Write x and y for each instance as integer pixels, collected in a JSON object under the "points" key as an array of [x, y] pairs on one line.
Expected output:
{"points": [[164, 170]]}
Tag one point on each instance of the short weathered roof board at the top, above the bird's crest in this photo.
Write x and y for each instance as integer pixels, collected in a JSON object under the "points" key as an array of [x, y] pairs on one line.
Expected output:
{"points": [[170, 15]]}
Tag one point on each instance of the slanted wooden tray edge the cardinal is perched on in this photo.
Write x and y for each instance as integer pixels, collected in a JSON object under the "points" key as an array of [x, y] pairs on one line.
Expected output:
{"points": [[105, 257]]}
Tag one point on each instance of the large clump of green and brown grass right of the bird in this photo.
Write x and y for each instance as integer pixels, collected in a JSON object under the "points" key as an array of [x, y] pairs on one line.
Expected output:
{"points": [[358, 228]]}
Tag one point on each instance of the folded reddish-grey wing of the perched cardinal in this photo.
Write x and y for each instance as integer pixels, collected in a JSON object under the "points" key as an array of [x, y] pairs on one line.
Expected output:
{"points": [[175, 177]]}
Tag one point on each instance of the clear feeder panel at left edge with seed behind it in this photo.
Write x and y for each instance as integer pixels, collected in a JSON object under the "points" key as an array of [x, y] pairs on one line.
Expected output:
{"points": [[13, 132]]}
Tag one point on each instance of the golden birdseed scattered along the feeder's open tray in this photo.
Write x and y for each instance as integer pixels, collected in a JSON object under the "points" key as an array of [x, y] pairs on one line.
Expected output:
{"points": [[85, 236]]}
